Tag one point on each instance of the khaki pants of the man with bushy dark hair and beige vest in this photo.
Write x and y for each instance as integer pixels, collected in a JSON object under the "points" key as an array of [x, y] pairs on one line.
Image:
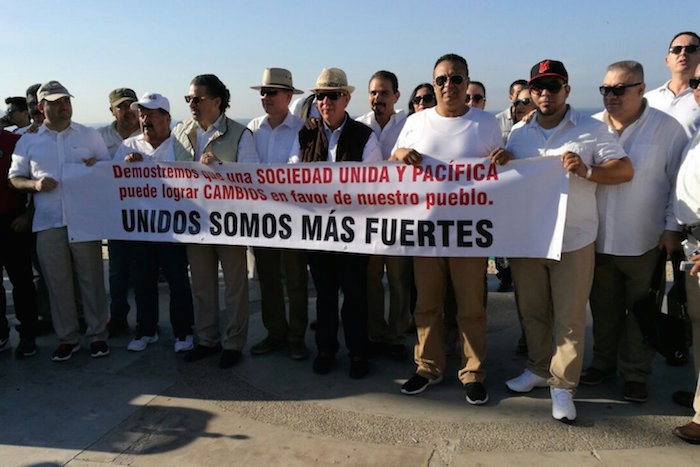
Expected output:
{"points": [[204, 267]]}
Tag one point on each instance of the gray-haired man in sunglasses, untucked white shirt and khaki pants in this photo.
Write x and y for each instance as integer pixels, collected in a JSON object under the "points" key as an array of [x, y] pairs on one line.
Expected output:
{"points": [[630, 245]]}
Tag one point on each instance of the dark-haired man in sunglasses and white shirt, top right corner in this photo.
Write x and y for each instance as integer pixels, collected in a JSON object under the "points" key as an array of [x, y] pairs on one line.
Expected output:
{"points": [[675, 97]]}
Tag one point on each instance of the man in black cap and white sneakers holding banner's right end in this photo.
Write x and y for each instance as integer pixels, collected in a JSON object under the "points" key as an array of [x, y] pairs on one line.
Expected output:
{"points": [[552, 295]]}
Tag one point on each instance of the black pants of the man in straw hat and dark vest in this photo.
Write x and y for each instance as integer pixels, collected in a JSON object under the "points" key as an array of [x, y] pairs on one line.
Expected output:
{"points": [[331, 273]]}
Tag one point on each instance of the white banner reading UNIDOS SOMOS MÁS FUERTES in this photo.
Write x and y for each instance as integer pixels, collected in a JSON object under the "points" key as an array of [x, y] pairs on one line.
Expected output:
{"points": [[464, 208]]}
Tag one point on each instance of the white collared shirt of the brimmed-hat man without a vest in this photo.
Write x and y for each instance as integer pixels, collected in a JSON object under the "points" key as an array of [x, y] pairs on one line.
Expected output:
{"points": [[273, 144]]}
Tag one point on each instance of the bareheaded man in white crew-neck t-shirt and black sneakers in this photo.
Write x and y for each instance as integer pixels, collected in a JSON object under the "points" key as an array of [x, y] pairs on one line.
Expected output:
{"points": [[450, 131]]}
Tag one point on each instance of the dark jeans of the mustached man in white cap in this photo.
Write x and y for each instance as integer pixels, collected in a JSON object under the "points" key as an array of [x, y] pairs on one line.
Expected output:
{"points": [[172, 258]]}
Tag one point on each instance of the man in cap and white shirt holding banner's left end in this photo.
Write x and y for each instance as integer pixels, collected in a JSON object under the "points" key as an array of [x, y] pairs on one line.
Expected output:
{"points": [[37, 167]]}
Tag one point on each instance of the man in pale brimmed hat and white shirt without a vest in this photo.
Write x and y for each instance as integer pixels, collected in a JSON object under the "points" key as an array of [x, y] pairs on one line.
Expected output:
{"points": [[274, 134]]}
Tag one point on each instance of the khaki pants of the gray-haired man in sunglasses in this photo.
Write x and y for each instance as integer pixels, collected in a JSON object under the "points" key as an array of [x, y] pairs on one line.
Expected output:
{"points": [[618, 282]]}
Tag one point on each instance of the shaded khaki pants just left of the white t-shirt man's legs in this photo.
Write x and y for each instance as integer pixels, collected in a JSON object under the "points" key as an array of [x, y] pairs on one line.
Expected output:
{"points": [[398, 271]]}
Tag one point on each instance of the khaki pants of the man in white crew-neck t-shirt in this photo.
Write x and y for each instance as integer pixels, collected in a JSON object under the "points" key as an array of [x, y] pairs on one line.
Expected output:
{"points": [[467, 274]]}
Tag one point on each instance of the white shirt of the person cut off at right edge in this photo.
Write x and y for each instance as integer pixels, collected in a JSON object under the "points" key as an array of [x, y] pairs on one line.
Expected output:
{"points": [[687, 199]]}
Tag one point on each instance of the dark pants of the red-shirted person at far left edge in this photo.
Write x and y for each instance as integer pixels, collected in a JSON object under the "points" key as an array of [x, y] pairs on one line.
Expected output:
{"points": [[16, 259]]}
